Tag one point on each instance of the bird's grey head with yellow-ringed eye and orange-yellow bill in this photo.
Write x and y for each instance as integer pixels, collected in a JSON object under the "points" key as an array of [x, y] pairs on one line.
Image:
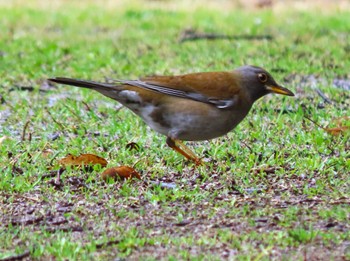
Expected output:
{"points": [[259, 82]]}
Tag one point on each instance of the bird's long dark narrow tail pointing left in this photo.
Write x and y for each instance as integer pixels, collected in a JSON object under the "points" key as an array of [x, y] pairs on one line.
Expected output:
{"points": [[84, 84]]}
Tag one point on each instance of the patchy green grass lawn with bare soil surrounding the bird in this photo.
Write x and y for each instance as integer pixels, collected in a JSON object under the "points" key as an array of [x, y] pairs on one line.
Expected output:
{"points": [[277, 187]]}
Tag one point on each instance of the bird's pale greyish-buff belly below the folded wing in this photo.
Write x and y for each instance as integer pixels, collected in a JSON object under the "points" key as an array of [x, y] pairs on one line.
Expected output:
{"points": [[197, 122]]}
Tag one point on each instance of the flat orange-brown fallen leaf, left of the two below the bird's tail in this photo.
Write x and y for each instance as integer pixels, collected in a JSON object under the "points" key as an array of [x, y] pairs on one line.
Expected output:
{"points": [[82, 160]]}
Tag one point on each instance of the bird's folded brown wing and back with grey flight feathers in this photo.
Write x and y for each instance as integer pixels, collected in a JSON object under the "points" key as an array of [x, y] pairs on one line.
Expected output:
{"points": [[217, 88]]}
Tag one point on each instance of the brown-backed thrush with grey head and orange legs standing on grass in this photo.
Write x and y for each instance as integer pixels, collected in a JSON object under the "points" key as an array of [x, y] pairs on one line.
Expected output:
{"points": [[189, 107]]}
